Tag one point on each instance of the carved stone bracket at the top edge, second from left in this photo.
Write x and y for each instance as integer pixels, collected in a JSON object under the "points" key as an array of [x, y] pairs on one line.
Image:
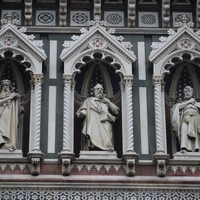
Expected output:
{"points": [[63, 13]]}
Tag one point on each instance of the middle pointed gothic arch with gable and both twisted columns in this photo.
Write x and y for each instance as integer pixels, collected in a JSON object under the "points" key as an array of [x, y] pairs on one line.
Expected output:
{"points": [[112, 52]]}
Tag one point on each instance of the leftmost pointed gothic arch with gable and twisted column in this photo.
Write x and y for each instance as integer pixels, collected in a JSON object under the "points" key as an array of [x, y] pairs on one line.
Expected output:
{"points": [[23, 56]]}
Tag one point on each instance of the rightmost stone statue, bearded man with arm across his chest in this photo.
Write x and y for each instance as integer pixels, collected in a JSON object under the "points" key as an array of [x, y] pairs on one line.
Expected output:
{"points": [[186, 122]]}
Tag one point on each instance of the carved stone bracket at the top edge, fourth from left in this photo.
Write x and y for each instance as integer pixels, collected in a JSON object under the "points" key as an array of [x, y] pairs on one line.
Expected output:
{"points": [[131, 13]]}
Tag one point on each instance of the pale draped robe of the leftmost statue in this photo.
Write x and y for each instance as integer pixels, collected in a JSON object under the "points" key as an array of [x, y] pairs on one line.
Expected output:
{"points": [[9, 123]]}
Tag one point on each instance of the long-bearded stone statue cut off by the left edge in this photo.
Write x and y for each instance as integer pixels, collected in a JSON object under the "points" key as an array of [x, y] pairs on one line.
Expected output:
{"points": [[9, 112]]}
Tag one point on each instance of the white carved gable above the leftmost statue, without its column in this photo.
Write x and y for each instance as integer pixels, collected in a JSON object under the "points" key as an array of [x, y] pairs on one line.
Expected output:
{"points": [[16, 41]]}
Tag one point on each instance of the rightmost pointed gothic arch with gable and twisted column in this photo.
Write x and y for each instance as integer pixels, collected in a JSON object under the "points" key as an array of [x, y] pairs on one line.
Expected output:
{"points": [[174, 56]]}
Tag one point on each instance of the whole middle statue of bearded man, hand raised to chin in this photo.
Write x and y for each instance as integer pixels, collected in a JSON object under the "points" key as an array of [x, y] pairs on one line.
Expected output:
{"points": [[98, 114]]}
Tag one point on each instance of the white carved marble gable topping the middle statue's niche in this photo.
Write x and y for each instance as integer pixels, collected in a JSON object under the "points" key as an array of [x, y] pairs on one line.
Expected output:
{"points": [[97, 39]]}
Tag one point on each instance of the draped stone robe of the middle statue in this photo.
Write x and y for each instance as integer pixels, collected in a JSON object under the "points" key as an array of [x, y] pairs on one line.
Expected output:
{"points": [[97, 124]]}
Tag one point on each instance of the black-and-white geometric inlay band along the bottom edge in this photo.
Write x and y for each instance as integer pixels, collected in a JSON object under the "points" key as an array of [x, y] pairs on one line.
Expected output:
{"points": [[89, 194]]}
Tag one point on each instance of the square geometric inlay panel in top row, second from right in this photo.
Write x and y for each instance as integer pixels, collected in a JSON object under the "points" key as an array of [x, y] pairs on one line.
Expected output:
{"points": [[149, 19]]}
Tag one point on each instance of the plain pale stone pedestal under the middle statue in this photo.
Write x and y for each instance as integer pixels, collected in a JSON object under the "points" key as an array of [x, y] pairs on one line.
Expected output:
{"points": [[98, 155]]}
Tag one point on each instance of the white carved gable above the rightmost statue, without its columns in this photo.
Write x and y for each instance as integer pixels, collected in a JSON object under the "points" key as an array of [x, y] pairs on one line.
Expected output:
{"points": [[184, 40]]}
